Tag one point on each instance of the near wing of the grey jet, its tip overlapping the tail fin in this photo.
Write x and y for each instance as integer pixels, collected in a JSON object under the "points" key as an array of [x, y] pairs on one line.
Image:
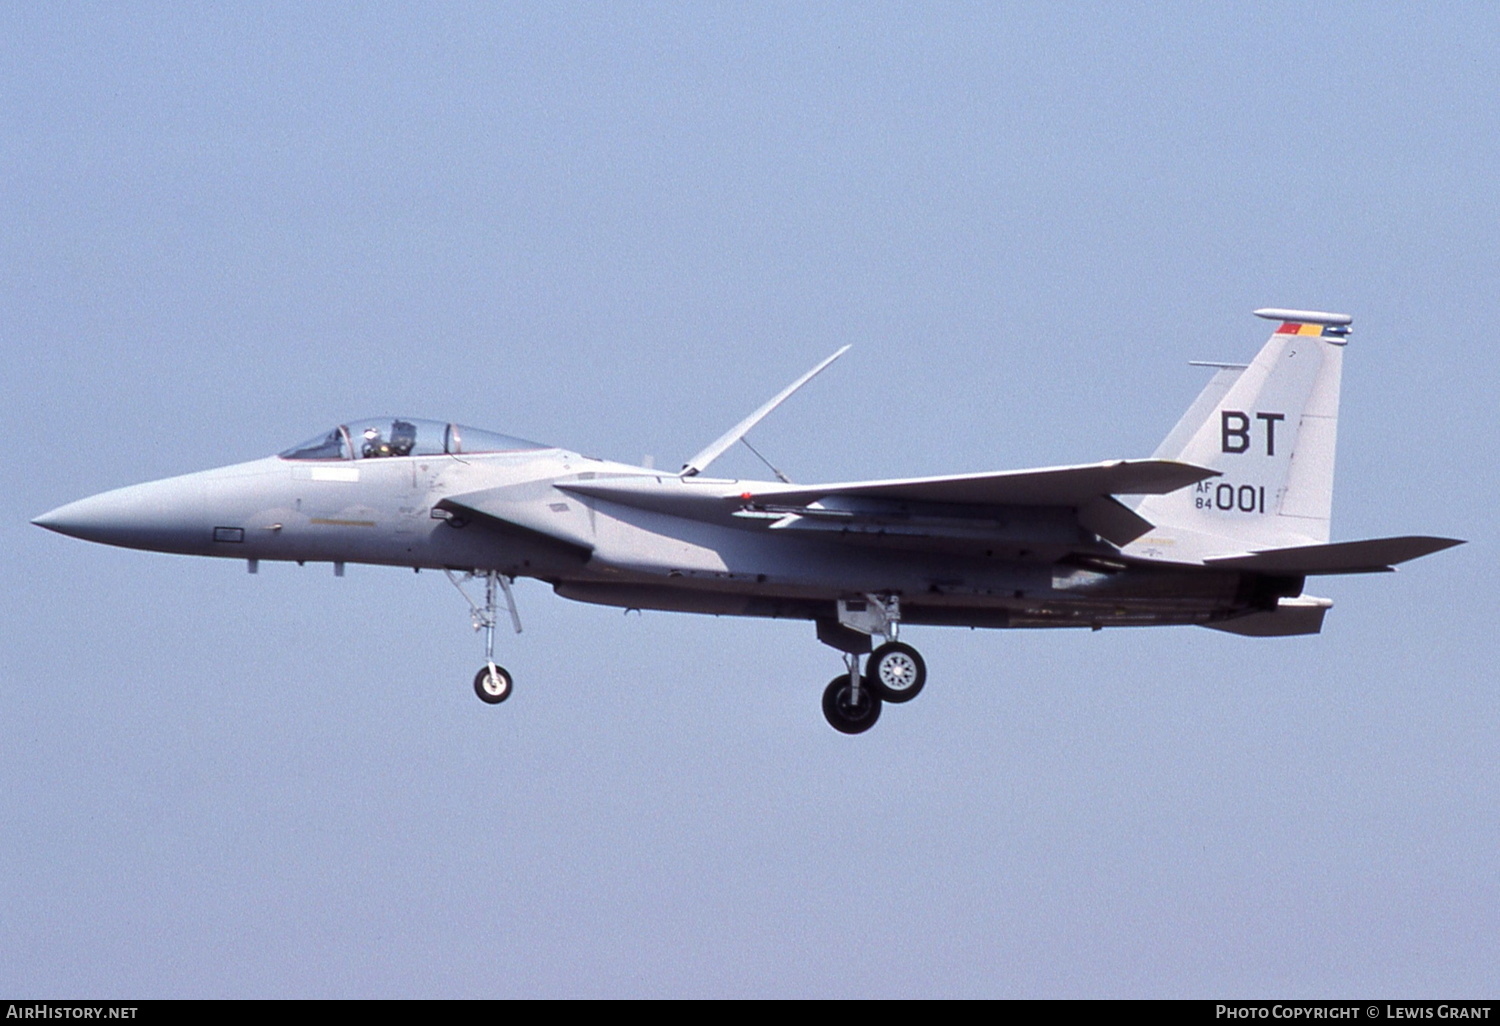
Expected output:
{"points": [[1045, 487]]}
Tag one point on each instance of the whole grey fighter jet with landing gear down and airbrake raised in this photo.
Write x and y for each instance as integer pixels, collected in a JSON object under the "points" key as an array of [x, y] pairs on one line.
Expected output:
{"points": [[1220, 529]]}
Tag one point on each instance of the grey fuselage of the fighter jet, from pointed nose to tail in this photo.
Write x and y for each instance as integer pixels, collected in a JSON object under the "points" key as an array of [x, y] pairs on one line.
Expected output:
{"points": [[392, 512]]}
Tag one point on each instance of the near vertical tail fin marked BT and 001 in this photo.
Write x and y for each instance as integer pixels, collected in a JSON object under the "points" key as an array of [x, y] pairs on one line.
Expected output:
{"points": [[1270, 430]]}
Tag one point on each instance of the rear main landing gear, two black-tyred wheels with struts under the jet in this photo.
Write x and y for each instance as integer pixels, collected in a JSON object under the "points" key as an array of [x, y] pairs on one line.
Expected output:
{"points": [[895, 671]]}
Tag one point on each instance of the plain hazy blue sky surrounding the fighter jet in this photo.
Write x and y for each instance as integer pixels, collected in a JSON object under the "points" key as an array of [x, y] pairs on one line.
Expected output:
{"points": [[619, 229]]}
